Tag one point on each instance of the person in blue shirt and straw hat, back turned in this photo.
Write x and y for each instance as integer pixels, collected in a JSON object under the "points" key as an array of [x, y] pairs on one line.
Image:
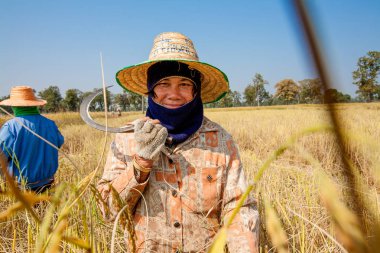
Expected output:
{"points": [[31, 161]]}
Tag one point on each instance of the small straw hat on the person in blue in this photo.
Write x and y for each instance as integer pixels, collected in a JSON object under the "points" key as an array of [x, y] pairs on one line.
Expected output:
{"points": [[22, 96]]}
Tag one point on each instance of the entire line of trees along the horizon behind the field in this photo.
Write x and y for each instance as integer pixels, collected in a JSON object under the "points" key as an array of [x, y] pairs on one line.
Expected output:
{"points": [[287, 91]]}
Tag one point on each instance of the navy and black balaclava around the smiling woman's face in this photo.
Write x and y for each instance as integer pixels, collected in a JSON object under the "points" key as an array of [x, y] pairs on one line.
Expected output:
{"points": [[185, 120]]}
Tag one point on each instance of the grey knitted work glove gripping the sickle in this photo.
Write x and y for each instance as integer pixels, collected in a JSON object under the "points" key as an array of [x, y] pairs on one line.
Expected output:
{"points": [[150, 138]]}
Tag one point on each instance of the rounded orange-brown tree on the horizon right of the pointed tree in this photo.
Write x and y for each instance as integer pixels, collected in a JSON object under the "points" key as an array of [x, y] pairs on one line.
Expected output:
{"points": [[287, 91]]}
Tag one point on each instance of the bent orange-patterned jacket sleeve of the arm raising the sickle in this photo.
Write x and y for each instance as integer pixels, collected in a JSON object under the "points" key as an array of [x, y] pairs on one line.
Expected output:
{"points": [[120, 183]]}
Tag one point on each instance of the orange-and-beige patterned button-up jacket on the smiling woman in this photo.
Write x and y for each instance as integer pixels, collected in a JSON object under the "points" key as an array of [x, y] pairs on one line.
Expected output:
{"points": [[190, 192]]}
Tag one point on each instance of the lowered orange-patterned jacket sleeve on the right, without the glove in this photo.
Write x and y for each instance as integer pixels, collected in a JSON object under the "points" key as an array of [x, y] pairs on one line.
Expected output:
{"points": [[244, 230]]}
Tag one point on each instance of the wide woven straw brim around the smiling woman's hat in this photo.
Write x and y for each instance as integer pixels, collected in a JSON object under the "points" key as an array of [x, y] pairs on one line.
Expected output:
{"points": [[214, 81]]}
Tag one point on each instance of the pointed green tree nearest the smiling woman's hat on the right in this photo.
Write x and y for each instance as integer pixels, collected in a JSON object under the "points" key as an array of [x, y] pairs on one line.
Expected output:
{"points": [[255, 93]]}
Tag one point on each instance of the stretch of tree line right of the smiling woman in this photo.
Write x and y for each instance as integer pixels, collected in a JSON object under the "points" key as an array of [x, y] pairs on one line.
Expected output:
{"points": [[309, 91]]}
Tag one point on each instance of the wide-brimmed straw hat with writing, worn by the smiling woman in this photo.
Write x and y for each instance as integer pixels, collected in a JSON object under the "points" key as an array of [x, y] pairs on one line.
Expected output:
{"points": [[173, 46]]}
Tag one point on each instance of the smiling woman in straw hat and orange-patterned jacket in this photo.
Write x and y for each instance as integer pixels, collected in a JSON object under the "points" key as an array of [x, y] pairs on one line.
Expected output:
{"points": [[179, 173]]}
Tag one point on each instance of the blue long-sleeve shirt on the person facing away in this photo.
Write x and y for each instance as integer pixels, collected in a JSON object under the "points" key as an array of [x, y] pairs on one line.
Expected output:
{"points": [[30, 158]]}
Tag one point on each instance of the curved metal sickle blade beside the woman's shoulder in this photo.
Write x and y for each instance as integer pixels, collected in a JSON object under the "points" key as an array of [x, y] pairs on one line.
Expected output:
{"points": [[84, 113]]}
